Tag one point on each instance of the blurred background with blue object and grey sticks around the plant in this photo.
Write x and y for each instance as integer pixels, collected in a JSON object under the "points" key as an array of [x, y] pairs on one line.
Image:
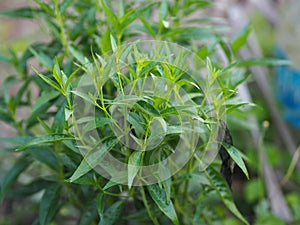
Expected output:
{"points": [[272, 195]]}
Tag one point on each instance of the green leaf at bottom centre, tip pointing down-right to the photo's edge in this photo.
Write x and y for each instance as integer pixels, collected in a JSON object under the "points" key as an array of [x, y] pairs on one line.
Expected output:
{"points": [[160, 198]]}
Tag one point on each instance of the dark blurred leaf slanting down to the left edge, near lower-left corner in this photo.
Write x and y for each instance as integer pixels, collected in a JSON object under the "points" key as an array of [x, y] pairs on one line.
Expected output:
{"points": [[11, 176]]}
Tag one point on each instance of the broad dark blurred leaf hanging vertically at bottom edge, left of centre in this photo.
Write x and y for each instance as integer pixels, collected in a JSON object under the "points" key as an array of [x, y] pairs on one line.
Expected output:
{"points": [[49, 205]]}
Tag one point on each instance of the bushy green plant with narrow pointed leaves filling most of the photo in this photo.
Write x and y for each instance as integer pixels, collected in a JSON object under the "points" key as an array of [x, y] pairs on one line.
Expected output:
{"points": [[99, 94]]}
